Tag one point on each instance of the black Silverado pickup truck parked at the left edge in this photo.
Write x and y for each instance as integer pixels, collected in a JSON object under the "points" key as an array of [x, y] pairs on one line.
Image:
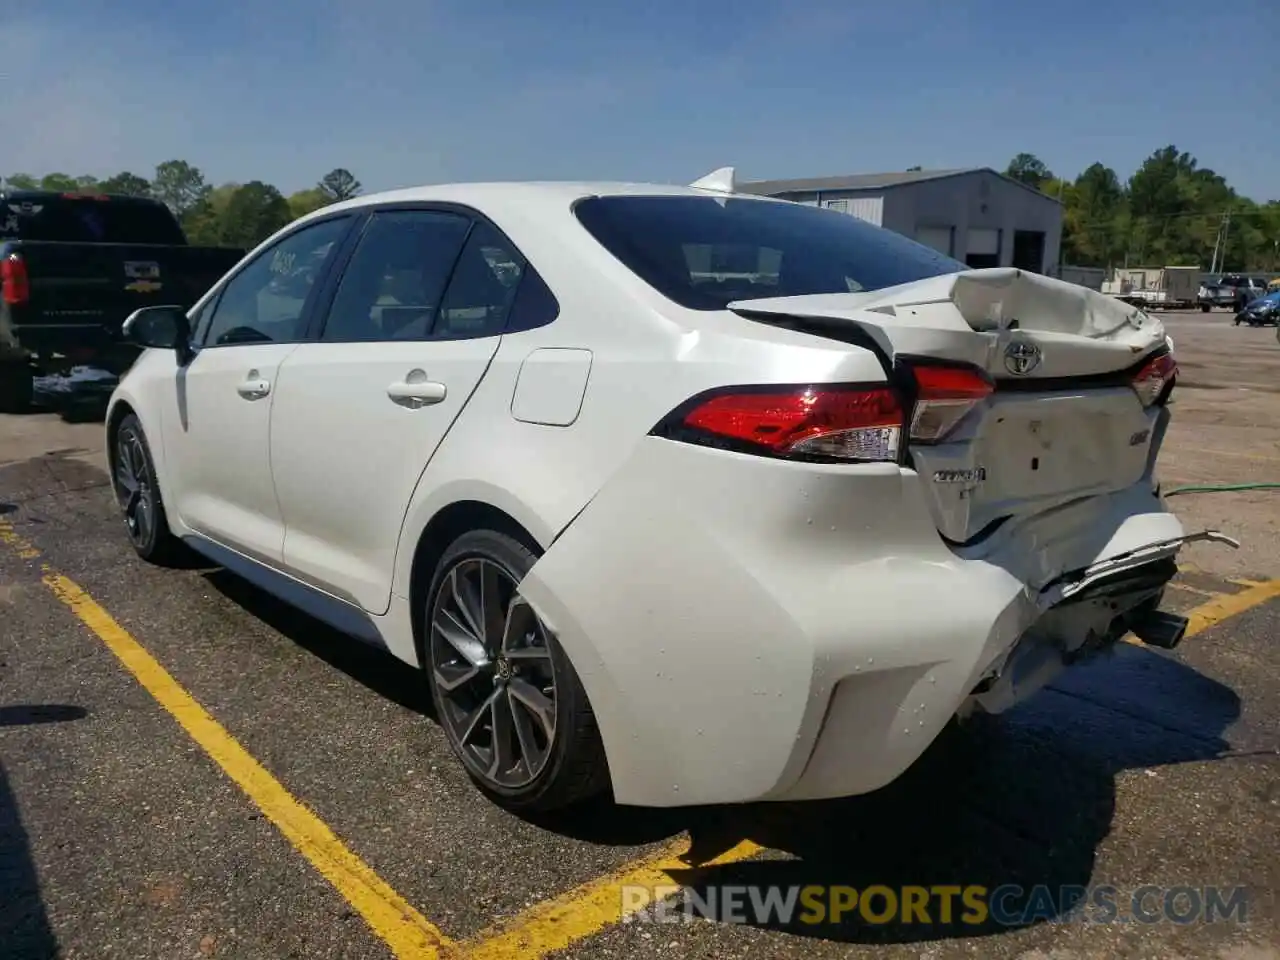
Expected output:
{"points": [[74, 267]]}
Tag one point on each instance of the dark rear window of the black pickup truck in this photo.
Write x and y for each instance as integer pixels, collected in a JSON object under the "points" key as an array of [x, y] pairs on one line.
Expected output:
{"points": [[88, 221]]}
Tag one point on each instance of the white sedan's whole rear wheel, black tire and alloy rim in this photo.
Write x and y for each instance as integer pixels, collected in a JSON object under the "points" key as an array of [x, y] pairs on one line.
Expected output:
{"points": [[508, 697]]}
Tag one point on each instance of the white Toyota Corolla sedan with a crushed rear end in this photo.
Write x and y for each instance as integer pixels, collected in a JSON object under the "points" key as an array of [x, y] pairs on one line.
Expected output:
{"points": [[694, 496]]}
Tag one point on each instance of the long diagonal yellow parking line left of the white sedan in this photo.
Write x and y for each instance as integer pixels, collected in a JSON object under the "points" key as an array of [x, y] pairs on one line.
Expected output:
{"points": [[409, 935]]}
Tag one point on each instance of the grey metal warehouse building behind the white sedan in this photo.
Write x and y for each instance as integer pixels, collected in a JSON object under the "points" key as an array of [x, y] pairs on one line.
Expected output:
{"points": [[976, 216]]}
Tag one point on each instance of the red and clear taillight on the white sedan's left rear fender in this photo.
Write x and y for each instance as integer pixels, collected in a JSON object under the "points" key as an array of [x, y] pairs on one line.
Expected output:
{"points": [[839, 423]]}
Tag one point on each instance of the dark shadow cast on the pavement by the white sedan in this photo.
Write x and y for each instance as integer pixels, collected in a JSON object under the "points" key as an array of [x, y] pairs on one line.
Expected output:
{"points": [[1018, 803]]}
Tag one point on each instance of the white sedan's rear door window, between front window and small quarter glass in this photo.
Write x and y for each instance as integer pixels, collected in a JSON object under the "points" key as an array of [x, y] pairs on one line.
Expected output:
{"points": [[396, 281]]}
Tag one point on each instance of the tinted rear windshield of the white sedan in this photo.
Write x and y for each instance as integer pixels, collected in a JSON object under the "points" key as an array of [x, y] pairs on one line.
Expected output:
{"points": [[705, 253]]}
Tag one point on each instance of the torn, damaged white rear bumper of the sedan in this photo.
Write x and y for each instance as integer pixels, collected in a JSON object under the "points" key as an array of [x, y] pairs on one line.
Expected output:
{"points": [[751, 629]]}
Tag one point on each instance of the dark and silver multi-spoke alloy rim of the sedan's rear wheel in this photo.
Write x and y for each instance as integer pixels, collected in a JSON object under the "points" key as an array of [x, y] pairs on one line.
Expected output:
{"points": [[493, 675]]}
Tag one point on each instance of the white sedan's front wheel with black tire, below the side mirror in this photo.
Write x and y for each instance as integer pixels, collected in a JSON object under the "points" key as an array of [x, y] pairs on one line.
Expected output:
{"points": [[131, 456]]}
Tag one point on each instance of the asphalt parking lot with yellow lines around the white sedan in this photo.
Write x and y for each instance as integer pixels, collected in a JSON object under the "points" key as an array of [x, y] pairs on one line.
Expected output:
{"points": [[188, 769]]}
